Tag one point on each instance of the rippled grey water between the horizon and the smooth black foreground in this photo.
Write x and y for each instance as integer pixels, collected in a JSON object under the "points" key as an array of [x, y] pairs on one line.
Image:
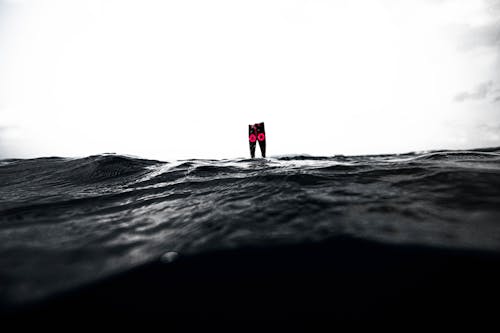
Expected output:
{"points": [[65, 223]]}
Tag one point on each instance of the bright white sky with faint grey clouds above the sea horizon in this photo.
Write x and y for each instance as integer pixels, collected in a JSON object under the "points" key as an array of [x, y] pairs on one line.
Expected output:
{"points": [[183, 79]]}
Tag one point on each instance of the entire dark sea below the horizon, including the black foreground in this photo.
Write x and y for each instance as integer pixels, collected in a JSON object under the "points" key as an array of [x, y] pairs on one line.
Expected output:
{"points": [[286, 237]]}
